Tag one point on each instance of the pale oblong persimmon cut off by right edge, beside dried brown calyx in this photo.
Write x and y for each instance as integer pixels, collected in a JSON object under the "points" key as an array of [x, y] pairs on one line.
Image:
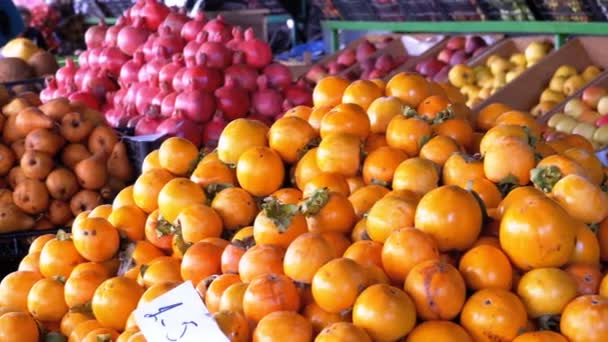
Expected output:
{"points": [[582, 199]]}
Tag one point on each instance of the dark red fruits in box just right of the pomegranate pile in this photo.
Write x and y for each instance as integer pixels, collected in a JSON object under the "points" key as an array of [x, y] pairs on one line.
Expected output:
{"points": [[364, 52]]}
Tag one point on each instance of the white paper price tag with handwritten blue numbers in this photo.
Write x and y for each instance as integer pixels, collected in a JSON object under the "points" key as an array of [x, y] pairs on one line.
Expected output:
{"points": [[178, 316]]}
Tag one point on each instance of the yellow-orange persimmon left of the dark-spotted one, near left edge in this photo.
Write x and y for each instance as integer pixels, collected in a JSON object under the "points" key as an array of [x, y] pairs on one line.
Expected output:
{"points": [[59, 256]]}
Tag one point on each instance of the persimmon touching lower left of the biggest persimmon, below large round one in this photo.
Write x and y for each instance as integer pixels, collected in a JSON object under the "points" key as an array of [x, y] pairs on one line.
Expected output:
{"points": [[486, 266]]}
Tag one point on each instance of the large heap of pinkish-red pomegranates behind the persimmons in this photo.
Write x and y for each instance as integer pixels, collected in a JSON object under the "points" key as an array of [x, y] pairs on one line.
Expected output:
{"points": [[157, 71]]}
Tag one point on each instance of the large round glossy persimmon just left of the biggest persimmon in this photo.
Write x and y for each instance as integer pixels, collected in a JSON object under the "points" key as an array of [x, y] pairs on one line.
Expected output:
{"points": [[451, 215]]}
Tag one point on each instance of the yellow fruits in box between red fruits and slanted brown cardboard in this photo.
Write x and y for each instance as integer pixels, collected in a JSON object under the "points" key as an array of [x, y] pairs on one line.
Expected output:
{"points": [[479, 82]]}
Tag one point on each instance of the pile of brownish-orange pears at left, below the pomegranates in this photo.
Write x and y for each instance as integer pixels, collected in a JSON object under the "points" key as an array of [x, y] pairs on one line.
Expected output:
{"points": [[56, 160]]}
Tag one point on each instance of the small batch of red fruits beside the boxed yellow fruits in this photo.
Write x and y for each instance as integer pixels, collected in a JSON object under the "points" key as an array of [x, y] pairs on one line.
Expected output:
{"points": [[457, 50]]}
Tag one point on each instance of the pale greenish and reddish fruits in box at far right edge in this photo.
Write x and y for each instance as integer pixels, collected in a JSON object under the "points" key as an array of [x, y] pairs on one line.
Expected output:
{"points": [[586, 116]]}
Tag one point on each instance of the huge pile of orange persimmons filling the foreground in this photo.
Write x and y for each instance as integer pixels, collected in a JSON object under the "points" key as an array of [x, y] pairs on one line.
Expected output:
{"points": [[385, 213]]}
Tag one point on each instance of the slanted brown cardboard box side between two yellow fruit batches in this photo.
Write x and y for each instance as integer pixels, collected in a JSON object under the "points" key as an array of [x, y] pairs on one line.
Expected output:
{"points": [[524, 91]]}
